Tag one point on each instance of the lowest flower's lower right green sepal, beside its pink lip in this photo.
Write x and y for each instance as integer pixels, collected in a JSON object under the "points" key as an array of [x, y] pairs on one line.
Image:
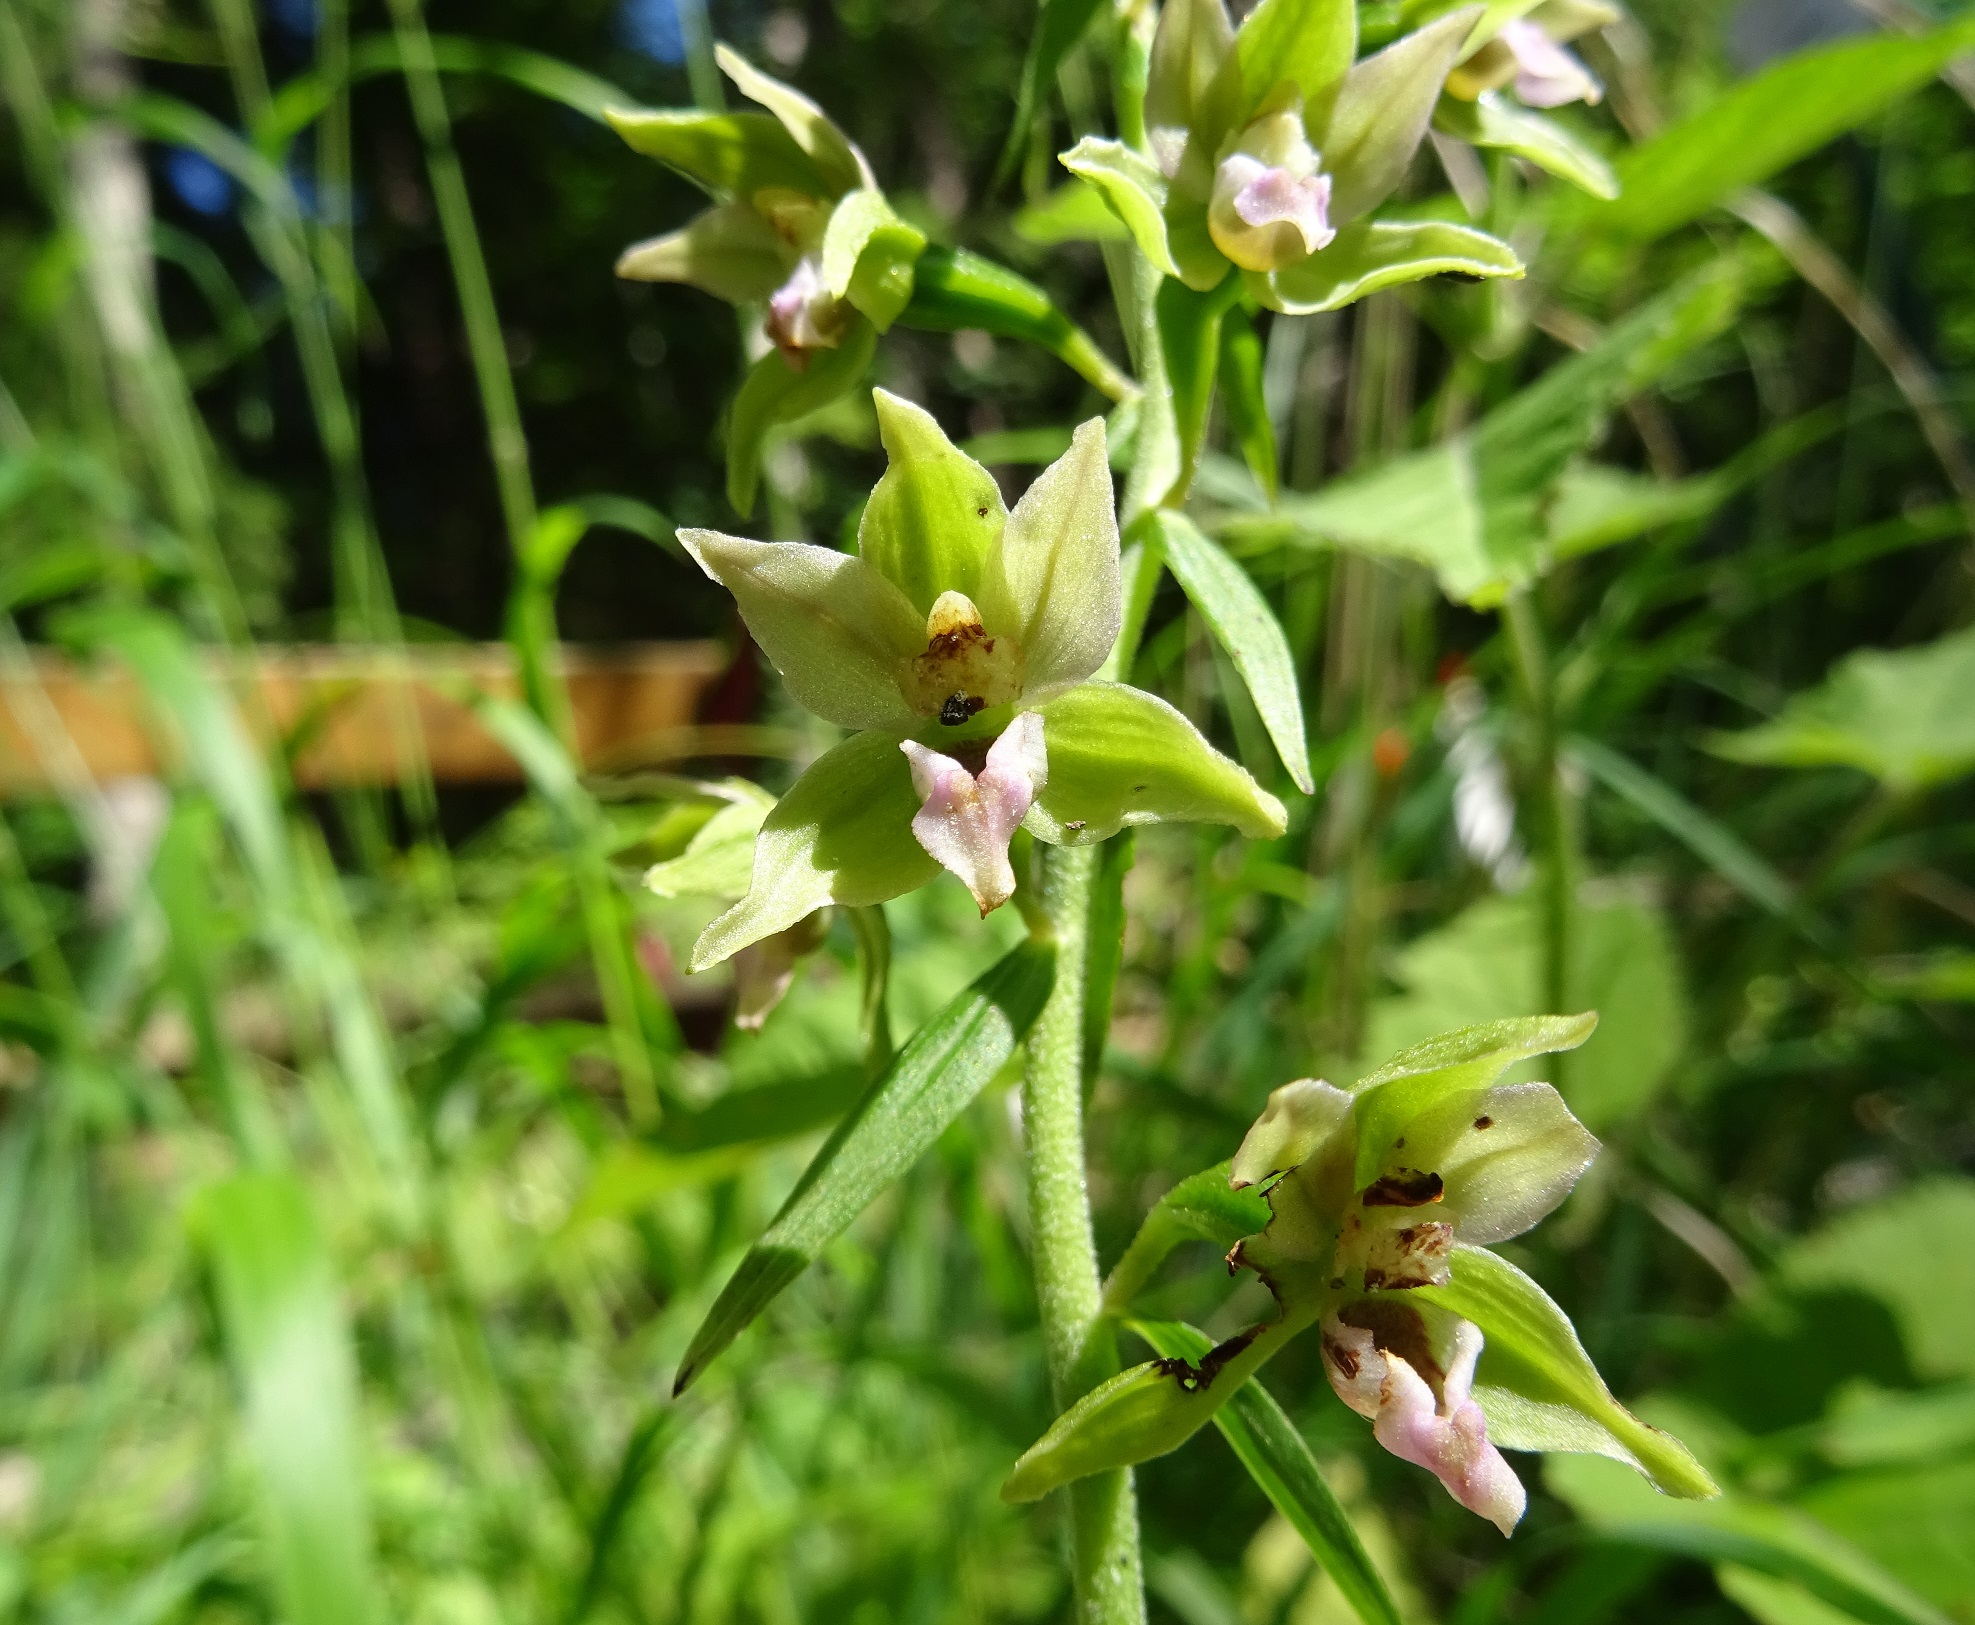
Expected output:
{"points": [[1540, 1389]]}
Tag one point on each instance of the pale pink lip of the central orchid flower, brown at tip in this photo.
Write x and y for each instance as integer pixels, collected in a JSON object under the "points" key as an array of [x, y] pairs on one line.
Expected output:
{"points": [[967, 820]]}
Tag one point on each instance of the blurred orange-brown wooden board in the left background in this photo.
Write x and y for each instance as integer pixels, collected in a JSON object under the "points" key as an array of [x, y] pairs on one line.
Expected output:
{"points": [[345, 712]]}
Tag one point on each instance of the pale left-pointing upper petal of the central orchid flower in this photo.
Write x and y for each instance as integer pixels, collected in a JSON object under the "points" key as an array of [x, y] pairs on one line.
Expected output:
{"points": [[829, 623]]}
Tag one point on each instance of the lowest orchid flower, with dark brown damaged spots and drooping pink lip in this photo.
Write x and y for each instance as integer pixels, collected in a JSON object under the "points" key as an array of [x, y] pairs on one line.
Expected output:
{"points": [[1383, 1203]]}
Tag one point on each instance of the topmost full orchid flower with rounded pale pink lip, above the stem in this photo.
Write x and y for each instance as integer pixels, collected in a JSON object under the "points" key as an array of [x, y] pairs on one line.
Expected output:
{"points": [[1269, 149]]}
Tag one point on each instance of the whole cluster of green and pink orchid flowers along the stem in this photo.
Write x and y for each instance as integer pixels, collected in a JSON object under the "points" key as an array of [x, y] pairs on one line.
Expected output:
{"points": [[965, 649]]}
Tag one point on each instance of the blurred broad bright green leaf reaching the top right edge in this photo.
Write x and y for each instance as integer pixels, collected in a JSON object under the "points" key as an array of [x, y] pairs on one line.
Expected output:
{"points": [[1769, 123]]}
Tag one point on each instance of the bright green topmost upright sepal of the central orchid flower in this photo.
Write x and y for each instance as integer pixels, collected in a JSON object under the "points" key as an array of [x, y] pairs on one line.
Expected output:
{"points": [[935, 516]]}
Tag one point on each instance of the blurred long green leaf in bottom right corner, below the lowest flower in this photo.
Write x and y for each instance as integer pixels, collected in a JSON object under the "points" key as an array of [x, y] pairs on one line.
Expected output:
{"points": [[1773, 1541]]}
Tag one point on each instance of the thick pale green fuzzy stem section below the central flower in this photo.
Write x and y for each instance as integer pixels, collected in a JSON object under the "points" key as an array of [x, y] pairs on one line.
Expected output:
{"points": [[1077, 1344]]}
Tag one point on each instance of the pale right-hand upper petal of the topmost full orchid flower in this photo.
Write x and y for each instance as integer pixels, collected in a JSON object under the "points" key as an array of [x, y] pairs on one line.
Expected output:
{"points": [[1382, 114]]}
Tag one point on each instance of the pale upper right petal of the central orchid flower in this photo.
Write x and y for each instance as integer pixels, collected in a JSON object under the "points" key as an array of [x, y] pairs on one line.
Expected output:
{"points": [[1052, 580]]}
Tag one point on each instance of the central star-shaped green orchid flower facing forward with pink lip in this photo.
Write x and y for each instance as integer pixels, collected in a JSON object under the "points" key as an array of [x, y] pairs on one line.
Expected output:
{"points": [[961, 645]]}
